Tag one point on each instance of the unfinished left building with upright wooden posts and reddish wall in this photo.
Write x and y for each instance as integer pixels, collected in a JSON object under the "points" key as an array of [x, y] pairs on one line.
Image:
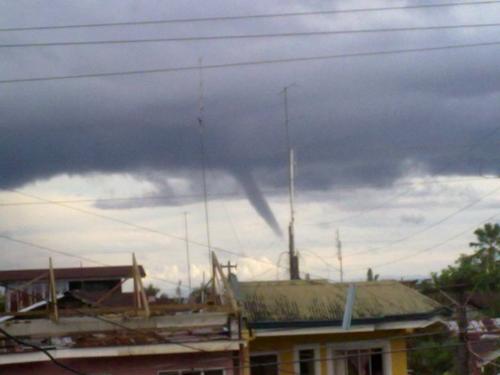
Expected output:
{"points": [[68, 333]]}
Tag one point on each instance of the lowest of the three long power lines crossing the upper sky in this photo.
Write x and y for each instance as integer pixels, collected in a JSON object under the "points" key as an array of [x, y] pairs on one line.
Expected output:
{"points": [[253, 63]]}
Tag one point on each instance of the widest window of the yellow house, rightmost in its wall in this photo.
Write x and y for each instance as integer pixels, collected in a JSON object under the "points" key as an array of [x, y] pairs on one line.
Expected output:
{"points": [[362, 358]]}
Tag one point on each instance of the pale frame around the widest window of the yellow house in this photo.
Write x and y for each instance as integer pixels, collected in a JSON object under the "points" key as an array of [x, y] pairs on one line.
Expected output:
{"points": [[361, 345]]}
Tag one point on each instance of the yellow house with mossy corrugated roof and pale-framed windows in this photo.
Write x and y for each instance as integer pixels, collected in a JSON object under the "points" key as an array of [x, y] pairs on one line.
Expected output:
{"points": [[319, 328]]}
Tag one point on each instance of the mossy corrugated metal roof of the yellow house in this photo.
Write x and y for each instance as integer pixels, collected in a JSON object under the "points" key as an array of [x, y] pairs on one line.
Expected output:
{"points": [[319, 300]]}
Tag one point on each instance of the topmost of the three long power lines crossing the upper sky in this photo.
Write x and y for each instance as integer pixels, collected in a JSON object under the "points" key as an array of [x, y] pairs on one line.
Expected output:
{"points": [[250, 16]]}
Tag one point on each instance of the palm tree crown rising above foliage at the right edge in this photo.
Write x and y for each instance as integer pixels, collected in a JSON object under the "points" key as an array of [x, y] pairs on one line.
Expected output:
{"points": [[488, 245]]}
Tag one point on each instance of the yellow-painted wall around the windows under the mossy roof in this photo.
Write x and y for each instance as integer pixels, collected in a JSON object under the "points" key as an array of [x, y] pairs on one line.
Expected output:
{"points": [[285, 346]]}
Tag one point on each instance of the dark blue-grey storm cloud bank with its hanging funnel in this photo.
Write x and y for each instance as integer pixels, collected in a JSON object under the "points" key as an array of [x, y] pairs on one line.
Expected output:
{"points": [[354, 122]]}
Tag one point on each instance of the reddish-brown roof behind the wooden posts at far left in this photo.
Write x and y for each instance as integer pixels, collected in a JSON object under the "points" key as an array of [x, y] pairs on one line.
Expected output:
{"points": [[75, 273]]}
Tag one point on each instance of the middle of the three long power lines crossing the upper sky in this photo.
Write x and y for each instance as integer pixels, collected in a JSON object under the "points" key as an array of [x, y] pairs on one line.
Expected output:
{"points": [[248, 36]]}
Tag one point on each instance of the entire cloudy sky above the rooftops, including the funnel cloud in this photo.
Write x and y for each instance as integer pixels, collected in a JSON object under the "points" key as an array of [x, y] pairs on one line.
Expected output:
{"points": [[398, 152]]}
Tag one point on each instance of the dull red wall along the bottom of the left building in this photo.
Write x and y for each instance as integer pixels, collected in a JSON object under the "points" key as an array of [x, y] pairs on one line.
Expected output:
{"points": [[137, 365]]}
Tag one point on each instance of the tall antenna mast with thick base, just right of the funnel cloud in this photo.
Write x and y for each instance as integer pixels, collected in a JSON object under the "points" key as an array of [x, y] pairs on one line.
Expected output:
{"points": [[293, 258]]}
